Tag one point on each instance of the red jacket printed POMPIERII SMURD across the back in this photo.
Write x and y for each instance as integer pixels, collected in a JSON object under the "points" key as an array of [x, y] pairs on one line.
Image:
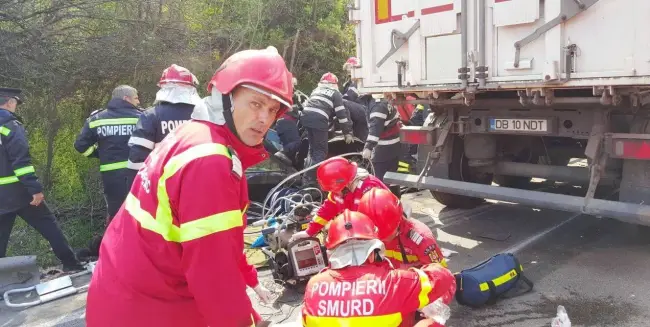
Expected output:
{"points": [[373, 295]]}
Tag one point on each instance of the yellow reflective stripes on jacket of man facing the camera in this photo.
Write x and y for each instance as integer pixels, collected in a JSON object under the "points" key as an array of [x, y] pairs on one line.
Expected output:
{"points": [[163, 222]]}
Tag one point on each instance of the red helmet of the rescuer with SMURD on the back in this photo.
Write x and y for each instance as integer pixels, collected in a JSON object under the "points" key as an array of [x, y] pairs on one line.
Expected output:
{"points": [[350, 225]]}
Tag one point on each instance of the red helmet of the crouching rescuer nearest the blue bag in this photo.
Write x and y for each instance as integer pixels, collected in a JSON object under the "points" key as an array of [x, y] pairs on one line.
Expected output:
{"points": [[385, 210]]}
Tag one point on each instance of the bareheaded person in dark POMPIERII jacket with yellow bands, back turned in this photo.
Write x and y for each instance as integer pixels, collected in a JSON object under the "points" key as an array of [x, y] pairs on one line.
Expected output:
{"points": [[105, 135]]}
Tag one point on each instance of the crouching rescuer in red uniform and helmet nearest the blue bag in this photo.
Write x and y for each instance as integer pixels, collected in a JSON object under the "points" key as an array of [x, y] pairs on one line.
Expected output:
{"points": [[409, 242]]}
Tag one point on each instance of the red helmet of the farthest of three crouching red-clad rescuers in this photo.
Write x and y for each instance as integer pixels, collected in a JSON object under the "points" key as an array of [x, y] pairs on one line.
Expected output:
{"points": [[335, 174]]}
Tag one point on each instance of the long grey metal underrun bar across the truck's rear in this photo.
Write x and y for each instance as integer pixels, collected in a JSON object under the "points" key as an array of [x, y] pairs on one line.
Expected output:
{"points": [[626, 212]]}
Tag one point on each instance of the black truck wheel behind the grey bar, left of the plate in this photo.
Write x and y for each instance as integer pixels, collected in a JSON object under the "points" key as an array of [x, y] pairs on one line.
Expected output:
{"points": [[460, 171]]}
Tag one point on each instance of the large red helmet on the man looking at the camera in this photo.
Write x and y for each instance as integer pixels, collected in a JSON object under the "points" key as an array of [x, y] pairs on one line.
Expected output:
{"points": [[261, 70]]}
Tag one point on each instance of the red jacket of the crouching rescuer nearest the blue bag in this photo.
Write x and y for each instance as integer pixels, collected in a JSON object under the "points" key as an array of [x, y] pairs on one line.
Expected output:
{"points": [[419, 246]]}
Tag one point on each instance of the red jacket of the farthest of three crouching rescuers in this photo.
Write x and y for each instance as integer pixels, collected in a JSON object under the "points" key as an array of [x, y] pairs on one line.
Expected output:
{"points": [[336, 203]]}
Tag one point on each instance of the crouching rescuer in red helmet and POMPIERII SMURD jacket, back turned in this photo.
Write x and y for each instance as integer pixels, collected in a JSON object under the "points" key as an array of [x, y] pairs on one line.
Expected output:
{"points": [[360, 288]]}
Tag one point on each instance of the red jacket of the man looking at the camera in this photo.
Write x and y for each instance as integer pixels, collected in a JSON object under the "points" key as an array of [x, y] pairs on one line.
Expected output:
{"points": [[174, 254]]}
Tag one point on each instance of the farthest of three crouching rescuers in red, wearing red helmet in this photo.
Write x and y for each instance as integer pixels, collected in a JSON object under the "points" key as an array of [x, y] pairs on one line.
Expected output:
{"points": [[346, 184]]}
